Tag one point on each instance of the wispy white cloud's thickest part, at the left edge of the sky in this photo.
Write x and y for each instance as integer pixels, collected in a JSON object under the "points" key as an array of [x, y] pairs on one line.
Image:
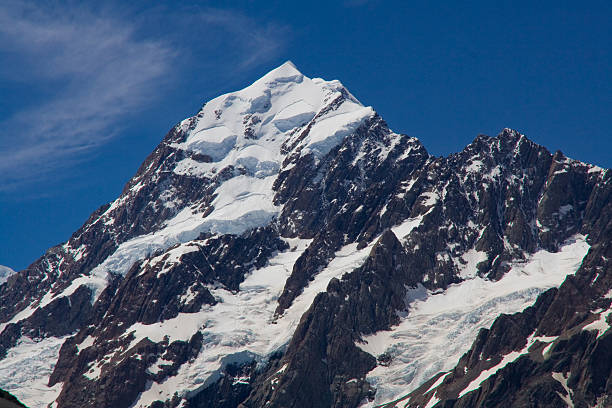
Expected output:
{"points": [[99, 70]]}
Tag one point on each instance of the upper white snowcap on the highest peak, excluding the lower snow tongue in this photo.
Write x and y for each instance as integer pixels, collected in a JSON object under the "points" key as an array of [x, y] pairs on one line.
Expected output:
{"points": [[247, 128]]}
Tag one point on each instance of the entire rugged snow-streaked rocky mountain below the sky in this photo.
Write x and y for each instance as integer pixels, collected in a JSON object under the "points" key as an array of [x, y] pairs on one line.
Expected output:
{"points": [[283, 247]]}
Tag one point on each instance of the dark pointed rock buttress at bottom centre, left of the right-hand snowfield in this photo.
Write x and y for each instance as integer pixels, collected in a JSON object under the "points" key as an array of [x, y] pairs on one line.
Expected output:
{"points": [[322, 356]]}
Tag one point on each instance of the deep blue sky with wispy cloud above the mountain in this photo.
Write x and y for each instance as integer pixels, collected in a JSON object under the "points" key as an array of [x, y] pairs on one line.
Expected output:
{"points": [[87, 90]]}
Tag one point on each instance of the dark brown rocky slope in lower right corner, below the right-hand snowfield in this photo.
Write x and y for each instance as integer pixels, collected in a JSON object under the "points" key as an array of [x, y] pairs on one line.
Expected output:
{"points": [[563, 341]]}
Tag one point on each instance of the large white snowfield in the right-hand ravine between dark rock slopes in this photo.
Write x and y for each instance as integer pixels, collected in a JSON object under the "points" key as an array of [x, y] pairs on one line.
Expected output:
{"points": [[440, 327]]}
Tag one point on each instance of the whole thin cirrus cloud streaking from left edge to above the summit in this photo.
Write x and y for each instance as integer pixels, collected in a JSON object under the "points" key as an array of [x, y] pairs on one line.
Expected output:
{"points": [[102, 66]]}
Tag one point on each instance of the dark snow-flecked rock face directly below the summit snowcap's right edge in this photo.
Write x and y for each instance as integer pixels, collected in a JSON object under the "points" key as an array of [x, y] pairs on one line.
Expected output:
{"points": [[335, 212]]}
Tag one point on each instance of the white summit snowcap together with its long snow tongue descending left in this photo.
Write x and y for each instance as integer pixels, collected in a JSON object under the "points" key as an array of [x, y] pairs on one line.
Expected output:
{"points": [[237, 144]]}
